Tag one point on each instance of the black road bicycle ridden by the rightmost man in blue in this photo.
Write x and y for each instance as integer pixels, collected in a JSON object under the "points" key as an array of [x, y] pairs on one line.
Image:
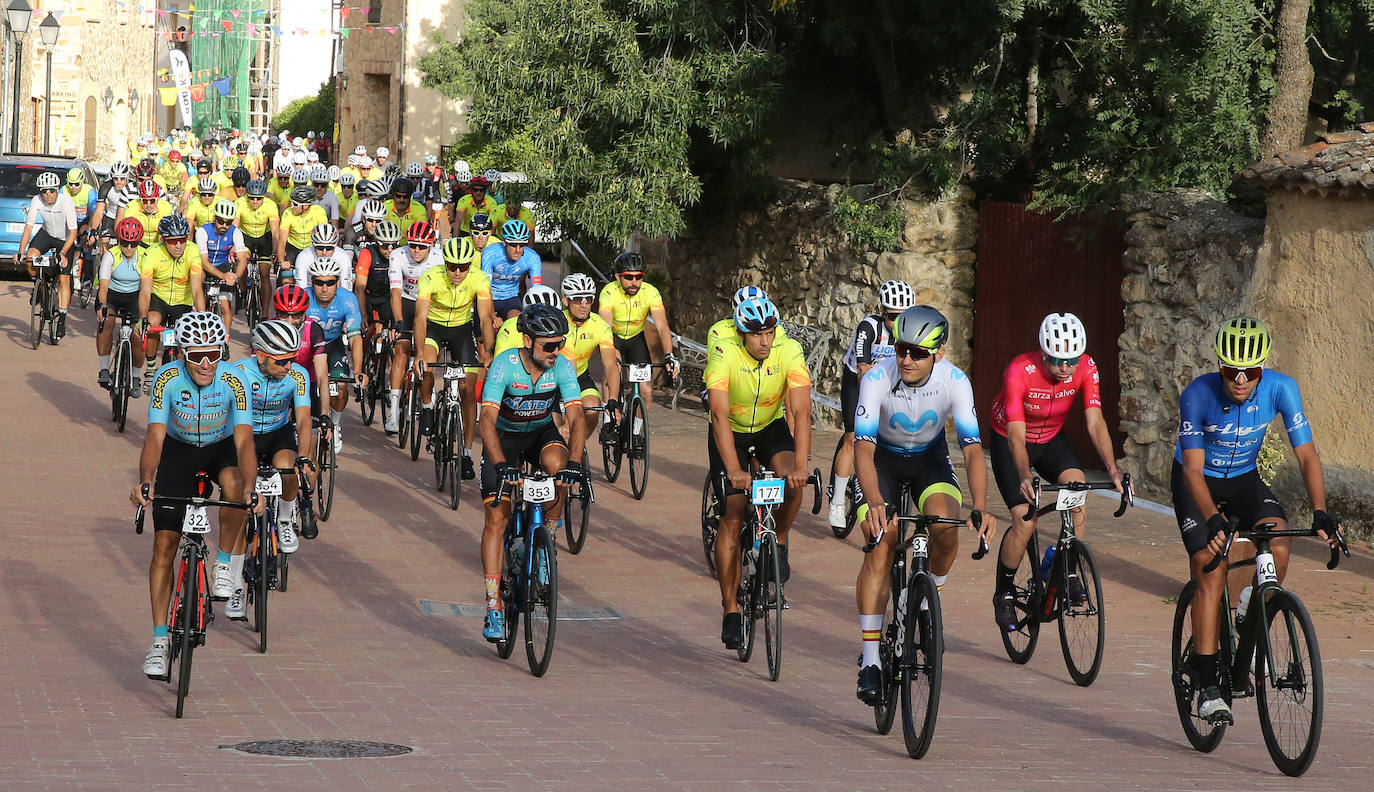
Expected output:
{"points": [[1268, 651]]}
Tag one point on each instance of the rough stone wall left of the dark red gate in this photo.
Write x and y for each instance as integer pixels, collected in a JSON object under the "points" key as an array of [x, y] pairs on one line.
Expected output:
{"points": [[793, 251]]}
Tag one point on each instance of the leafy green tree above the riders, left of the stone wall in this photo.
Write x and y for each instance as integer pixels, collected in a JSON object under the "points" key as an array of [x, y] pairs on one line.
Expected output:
{"points": [[611, 107]]}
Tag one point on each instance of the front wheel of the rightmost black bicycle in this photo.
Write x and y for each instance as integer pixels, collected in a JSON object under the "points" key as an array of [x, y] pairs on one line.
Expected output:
{"points": [[1291, 692]]}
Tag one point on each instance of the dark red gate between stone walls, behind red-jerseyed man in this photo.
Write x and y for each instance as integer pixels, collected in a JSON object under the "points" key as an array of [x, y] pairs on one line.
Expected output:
{"points": [[1031, 266]]}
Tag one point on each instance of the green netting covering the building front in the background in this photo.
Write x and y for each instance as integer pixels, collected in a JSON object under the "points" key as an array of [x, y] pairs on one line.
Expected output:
{"points": [[221, 54]]}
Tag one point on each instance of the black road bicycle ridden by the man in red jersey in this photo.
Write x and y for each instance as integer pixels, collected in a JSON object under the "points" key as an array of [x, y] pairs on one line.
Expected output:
{"points": [[1063, 586]]}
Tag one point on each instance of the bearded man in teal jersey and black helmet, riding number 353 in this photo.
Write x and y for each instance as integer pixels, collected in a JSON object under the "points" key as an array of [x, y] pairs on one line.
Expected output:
{"points": [[520, 398]]}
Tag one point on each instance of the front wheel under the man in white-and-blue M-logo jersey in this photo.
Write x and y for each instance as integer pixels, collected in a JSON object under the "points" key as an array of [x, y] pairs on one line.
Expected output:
{"points": [[923, 657]]}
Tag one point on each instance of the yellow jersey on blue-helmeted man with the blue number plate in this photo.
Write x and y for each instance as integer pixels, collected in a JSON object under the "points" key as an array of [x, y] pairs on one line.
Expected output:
{"points": [[756, 388]]}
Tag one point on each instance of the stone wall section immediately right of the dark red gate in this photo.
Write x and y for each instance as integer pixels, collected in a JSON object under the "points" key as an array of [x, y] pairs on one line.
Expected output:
{"points": [[1188, 266]]}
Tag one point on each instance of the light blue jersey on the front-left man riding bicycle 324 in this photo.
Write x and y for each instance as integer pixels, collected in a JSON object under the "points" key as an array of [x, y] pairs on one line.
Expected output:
{"points": [[199, 416]]}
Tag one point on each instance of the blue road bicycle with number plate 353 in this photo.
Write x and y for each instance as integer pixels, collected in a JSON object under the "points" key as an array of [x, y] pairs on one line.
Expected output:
{"points": [[530, 580]]}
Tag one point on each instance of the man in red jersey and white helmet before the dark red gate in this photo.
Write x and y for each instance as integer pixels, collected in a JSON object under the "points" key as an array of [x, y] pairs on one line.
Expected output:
{"points": [[1038, 390]]}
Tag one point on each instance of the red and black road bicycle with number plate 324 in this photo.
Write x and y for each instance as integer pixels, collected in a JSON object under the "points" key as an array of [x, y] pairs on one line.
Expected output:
{"points": [[190, 613]]}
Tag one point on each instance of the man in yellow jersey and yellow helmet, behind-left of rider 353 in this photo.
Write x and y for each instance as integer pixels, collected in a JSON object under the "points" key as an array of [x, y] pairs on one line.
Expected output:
{"points": [[453, 311]]}
